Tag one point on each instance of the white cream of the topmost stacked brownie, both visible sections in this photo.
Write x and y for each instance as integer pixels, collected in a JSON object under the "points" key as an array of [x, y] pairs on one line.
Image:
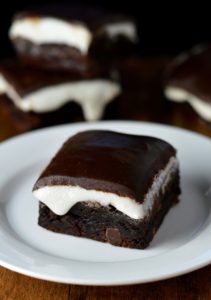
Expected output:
{"points": [[46, 30]]}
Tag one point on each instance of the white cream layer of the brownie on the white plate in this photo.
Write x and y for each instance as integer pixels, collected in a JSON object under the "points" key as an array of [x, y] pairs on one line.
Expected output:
{"points": [[60, 199]]}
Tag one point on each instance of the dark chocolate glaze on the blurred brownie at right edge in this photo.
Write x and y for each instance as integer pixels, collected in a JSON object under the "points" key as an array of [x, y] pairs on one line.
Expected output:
{"points": [[192, 72]]}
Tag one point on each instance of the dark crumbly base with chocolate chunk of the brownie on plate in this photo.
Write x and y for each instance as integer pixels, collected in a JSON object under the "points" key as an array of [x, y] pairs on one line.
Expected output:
{"points": [[106, 224]]}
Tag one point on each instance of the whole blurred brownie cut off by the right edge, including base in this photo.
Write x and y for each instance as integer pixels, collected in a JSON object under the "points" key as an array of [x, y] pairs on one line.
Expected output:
{"points": [[188, 85]]}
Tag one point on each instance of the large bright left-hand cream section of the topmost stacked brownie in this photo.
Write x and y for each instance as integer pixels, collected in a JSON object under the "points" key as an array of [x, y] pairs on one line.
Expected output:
{"points": [[51, 30]]}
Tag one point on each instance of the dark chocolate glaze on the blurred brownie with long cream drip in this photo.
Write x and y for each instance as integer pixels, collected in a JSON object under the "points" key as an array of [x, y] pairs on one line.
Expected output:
{"points": [[26, 80]]}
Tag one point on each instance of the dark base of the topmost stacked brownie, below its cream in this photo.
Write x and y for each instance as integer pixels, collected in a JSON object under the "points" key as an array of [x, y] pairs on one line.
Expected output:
{"points": [[66, 58]]}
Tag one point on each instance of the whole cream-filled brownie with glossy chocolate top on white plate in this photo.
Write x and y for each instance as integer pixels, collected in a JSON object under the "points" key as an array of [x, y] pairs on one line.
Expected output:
{"points": [[110, 187]]}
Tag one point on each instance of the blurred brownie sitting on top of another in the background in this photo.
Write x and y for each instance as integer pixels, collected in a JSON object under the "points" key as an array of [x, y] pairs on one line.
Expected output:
{"points": [[71, 36]]}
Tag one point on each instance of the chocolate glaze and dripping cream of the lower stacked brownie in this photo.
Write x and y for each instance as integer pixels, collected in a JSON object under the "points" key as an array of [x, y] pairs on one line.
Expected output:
{"points": [[42, 92]]}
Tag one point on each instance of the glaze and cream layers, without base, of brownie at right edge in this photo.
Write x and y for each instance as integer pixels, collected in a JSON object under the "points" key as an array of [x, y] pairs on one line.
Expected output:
{"points": [[188, 80]]}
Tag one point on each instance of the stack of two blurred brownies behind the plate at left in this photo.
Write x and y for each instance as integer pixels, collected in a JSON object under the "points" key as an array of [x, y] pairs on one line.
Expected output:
{"points": [[67, 53]]}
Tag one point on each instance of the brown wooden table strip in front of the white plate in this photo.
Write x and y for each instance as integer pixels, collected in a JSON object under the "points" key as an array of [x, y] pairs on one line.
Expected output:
{"points": [[193, 286]]}
